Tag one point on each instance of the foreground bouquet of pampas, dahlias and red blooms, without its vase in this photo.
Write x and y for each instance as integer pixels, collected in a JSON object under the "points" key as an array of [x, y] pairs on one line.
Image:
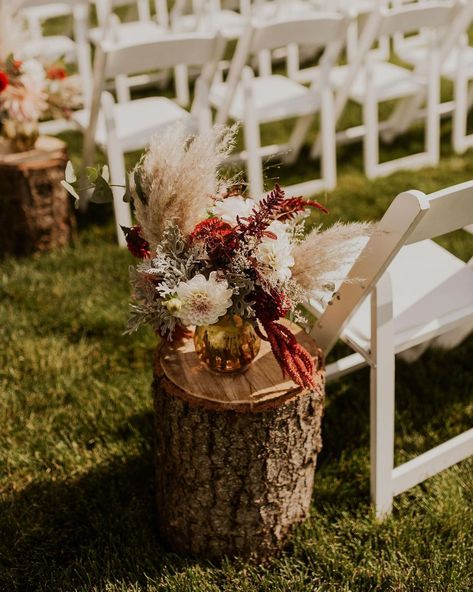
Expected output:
{"points": [[208, 251]]}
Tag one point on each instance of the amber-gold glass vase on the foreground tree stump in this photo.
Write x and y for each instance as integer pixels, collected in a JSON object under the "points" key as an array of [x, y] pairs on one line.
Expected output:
{"points": [[227, 346]]}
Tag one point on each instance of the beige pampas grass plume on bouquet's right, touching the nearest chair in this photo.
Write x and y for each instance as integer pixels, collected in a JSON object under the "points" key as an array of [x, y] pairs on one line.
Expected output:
{"points": [[325, 257]]}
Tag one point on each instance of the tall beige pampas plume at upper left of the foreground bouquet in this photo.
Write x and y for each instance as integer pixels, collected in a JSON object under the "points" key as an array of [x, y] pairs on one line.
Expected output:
{"points": [[180, 178]]}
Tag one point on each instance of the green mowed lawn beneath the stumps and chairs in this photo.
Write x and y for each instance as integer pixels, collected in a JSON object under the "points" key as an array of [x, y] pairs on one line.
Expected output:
{"points": [[77, 506]]}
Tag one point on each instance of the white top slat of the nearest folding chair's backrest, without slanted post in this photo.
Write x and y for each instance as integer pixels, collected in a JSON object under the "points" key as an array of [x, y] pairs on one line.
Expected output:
{"points": [[449, 209]]}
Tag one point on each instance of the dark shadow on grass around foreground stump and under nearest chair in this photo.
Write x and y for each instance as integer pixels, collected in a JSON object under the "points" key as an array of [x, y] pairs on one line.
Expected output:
{"points": [[100, 527]]}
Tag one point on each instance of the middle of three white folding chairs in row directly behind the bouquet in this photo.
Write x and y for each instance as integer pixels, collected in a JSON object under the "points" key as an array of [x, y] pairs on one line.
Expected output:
{"points": [[256, 100]]}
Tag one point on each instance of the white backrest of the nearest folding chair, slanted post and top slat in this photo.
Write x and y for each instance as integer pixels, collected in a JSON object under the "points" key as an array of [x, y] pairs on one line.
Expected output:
{"points": [[411, 217]]}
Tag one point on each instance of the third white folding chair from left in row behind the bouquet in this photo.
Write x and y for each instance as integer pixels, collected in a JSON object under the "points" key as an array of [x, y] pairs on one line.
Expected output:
{"points": [[370, 82]]}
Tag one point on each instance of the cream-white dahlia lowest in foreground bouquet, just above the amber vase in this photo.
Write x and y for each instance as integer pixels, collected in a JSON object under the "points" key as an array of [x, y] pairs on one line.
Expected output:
{"points": [[203, 301]]}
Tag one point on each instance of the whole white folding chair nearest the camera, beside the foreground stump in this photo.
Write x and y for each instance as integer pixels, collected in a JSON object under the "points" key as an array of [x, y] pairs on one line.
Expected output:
{"points": [[419, 293]]}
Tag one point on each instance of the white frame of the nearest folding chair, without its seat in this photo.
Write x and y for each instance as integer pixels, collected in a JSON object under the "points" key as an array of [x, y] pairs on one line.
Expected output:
{"points": [[411, 218]]}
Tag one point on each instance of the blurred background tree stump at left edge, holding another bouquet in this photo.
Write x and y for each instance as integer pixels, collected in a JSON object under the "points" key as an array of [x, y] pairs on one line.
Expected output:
{"points": [[35, 210]]}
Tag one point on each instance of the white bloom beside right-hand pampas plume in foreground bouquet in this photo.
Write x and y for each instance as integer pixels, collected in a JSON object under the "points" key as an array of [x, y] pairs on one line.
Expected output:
{"points": [[276, 253]]}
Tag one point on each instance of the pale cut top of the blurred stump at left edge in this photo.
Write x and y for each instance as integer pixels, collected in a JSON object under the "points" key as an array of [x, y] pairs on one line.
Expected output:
{"points": [[46, 151]]}
